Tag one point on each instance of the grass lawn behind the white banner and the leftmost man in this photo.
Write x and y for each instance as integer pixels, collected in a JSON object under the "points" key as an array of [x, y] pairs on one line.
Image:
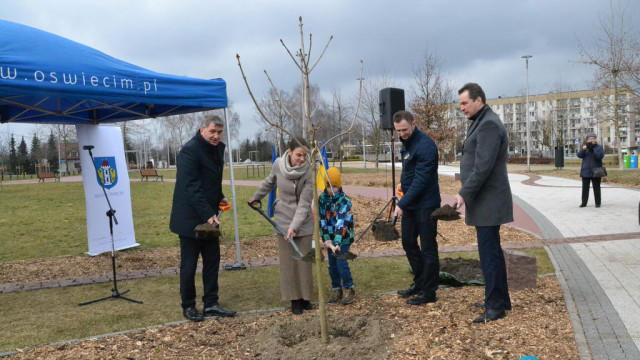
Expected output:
{"points": [[48, 220]]}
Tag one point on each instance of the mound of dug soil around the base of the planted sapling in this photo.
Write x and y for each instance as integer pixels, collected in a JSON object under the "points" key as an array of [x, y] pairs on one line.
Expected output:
{"points": [[351, 336]]}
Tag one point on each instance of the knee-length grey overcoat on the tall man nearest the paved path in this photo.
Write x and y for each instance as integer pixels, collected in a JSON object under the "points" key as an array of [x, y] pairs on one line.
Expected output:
{"points": [[483, 171]]}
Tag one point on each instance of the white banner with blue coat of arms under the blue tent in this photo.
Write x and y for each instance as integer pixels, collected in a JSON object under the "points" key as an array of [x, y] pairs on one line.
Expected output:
{"points": [[108, 154]]}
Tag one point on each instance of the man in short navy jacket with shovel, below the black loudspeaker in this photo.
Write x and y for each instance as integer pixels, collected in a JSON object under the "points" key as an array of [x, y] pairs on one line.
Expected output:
{"points": [[419, 182]]}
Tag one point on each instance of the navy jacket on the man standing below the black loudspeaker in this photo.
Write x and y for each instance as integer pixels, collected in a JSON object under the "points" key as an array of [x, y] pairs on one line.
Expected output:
{"points": [[419, 179]]}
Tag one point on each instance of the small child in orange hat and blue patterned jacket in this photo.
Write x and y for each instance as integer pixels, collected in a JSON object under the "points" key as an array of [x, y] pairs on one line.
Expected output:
{"points": [[336, 227]]}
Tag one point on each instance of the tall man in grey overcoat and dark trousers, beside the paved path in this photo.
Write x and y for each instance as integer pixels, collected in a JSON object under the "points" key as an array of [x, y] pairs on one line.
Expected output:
{"points": [[486, 194]]}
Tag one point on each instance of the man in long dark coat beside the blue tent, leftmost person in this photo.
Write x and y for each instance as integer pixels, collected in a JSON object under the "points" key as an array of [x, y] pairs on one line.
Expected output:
{"points": [[196, 197]]}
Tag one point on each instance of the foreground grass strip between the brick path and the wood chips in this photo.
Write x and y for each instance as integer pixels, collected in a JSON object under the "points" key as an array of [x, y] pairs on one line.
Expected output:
{"points": [[45, 316]]}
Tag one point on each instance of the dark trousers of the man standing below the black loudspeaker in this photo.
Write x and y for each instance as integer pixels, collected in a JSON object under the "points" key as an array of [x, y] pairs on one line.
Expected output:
{"points": [[424, 258]]}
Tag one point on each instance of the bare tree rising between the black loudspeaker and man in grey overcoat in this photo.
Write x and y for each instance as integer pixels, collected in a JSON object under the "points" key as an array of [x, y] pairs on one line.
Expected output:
{"points": [[430, 104]]}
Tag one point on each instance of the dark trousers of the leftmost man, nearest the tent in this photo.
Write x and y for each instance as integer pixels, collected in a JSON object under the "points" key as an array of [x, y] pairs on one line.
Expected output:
{"points": [[190, 249]]}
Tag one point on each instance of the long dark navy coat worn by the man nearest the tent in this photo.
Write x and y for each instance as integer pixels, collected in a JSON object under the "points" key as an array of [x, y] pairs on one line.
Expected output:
{"points": [[198, 189]]}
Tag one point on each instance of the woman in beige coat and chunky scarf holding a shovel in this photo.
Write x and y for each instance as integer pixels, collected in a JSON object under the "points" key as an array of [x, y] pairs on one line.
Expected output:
{"points": [[292, 210]]}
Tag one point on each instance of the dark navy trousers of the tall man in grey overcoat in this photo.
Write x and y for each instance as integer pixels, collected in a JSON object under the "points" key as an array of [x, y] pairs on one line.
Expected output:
{"points": [[496, 291]]}
